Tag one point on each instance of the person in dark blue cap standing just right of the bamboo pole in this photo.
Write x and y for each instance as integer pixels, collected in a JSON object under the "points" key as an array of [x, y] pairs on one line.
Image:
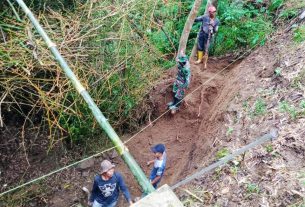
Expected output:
{"points": [[159, 164]]}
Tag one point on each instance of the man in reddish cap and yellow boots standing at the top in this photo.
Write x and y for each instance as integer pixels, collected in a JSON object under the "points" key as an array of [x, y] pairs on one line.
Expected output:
{"points": [[208, 28]]}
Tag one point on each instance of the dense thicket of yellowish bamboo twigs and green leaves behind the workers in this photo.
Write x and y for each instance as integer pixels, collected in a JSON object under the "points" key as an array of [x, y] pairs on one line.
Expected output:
{"points": [[117, 49]]}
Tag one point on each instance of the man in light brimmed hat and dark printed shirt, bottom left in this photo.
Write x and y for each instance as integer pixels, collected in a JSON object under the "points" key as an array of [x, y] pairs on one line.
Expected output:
{"points": [[107, 186]]}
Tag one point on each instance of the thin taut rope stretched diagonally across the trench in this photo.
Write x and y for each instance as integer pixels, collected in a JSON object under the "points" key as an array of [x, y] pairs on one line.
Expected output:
{"points": [[128, 140]]}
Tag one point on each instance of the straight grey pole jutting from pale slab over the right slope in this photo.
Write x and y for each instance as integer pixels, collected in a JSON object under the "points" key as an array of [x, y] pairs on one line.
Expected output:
{"points": [[270, 136]]}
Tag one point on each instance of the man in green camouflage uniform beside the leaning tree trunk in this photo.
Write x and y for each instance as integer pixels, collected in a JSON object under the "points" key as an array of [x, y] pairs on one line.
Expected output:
{"points": [[181, 83]]}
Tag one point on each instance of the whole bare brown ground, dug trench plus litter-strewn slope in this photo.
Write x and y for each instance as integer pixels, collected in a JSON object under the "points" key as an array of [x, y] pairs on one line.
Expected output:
{"points": [[241, 103]]}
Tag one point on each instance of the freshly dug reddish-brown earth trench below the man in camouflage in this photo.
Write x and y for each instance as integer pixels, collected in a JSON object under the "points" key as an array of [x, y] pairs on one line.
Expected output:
{"points": [[187, 135]]}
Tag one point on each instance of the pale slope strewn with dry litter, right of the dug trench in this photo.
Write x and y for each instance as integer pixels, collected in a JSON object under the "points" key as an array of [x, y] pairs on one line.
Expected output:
{"points": [[266, 90]]}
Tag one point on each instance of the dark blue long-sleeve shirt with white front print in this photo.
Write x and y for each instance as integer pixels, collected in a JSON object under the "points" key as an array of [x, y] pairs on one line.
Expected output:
{"points": [[107, 192]]}
